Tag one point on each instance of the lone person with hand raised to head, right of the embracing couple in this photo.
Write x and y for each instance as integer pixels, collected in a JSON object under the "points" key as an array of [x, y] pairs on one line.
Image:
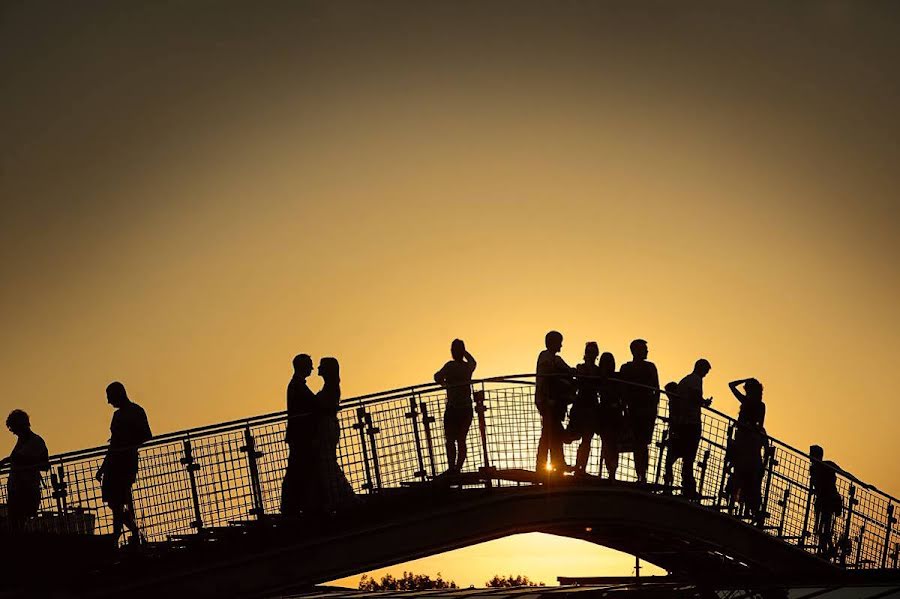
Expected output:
{"points": [[456, 376]]}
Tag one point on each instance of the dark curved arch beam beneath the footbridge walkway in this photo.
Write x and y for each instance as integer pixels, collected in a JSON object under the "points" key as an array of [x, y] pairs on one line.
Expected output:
{"points": [[693, 543]]}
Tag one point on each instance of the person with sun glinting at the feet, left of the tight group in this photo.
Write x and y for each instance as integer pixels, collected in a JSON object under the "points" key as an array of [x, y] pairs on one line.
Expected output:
{"points": [[551, 396]]}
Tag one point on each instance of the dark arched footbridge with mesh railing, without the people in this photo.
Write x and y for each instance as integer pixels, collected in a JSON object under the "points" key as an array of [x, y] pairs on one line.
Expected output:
{"points": [[208, 504]]}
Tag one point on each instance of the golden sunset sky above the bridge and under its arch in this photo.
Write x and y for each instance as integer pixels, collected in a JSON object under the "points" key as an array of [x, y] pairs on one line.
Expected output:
{"points": [[192, 193]]}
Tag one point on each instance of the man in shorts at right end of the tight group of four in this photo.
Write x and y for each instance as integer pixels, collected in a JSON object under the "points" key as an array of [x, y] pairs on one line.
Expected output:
{"points": [[641, 401]]}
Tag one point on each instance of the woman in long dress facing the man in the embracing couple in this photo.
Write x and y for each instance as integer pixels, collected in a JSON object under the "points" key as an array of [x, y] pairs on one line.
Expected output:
{"points": [[331, 486]]}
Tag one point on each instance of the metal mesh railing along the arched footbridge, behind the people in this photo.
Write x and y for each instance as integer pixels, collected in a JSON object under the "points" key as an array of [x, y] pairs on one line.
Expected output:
{"points": [[200, 479]]}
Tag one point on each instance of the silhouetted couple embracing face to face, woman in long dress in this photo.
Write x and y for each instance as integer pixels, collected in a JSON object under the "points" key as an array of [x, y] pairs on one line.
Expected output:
{"points": [[313, 481]]}
